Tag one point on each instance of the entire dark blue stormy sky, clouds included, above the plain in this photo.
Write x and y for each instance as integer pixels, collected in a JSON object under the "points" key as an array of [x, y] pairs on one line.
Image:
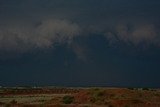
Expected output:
{"points": [[80, 43]]}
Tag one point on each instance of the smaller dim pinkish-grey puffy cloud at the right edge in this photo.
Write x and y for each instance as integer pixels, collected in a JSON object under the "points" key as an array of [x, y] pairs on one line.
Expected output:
{"points": [[137, 34]]}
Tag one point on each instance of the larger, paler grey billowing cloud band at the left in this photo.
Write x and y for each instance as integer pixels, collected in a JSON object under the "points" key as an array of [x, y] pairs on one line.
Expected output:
{"points": [[18, 37]]}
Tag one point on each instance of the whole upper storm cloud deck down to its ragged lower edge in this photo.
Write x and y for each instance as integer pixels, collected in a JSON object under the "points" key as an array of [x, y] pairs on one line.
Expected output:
{"points": [[111, 17]]}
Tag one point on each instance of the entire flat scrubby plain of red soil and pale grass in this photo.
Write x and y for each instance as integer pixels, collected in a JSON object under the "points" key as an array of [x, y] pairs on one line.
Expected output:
{"points": [[79, 97]]}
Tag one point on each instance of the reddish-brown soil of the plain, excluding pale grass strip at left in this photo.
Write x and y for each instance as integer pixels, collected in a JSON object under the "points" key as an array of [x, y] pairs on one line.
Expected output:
{"points": [[91, 97]]}
